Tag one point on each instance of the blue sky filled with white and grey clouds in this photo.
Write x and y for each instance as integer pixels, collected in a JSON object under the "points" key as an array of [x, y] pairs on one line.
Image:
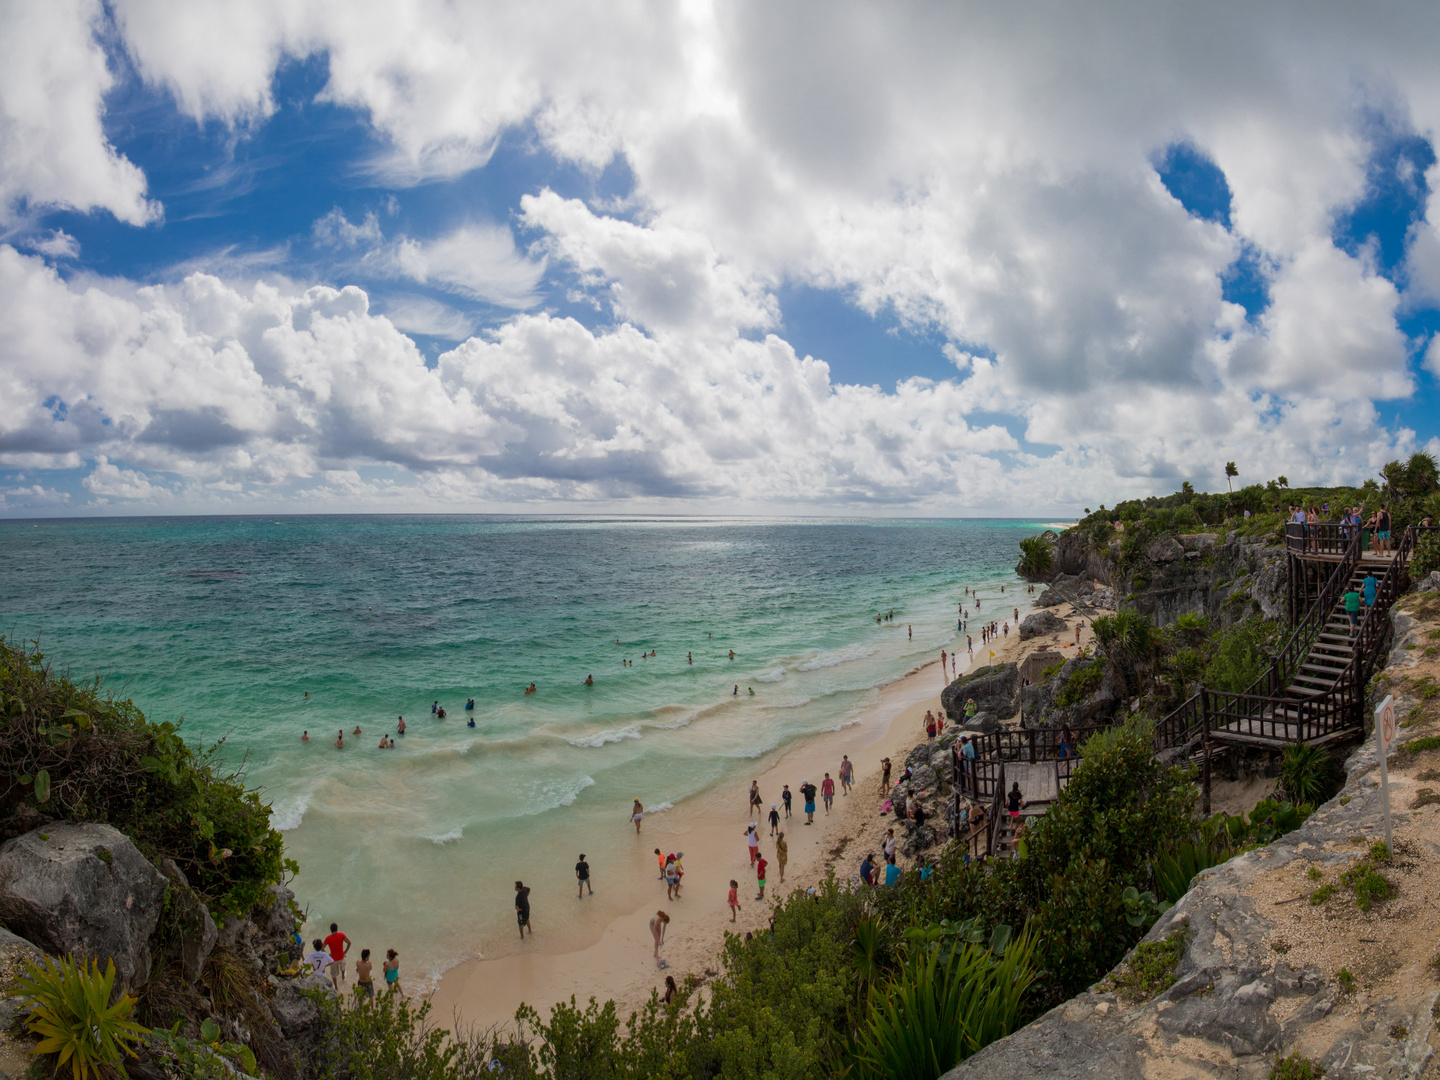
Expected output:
{"points": [[806, 258]]}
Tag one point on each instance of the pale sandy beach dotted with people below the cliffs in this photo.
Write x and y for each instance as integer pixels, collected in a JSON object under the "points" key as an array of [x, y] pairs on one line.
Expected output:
{"points": [[711, 830]]}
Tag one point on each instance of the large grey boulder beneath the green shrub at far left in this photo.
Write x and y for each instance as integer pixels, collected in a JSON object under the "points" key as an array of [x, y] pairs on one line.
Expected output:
{"points": [[84, 891]]}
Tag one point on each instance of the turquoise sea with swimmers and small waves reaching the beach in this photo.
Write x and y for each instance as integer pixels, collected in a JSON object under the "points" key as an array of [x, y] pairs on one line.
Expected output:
{"points": [[228, 623]]}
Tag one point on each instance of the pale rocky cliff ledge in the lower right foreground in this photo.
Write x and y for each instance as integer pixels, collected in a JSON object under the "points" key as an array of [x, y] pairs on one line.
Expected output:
{"points": [[1287, 950]]}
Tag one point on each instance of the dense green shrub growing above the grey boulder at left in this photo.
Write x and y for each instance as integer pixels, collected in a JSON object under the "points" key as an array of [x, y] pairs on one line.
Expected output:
{"points": [[74, 752]]}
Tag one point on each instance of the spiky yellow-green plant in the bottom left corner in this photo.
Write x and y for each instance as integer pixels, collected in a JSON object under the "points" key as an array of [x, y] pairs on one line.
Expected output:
{"points": [[71, 1013]]}
